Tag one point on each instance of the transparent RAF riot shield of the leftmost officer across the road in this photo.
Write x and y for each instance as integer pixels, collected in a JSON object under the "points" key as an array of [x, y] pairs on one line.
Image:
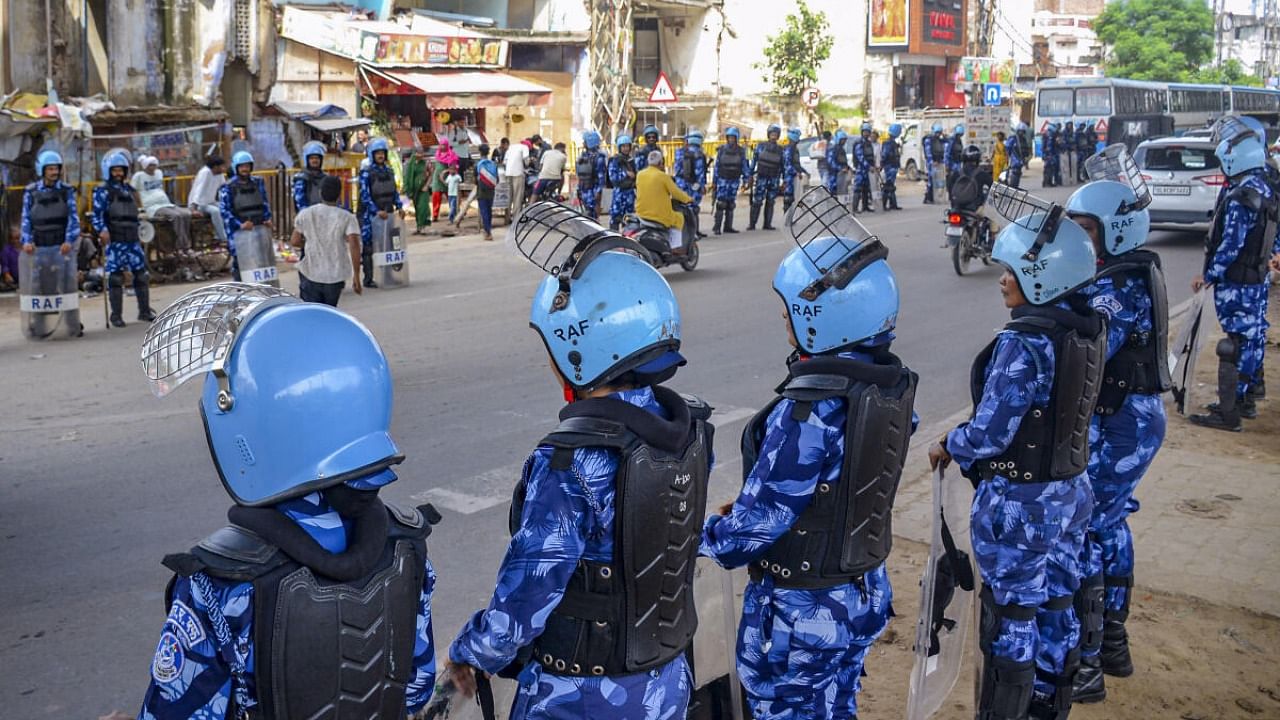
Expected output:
{"points": [[49, 302]]}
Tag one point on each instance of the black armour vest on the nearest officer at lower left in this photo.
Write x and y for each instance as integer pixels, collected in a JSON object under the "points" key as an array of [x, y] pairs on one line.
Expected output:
{"points": [[333, 635]]}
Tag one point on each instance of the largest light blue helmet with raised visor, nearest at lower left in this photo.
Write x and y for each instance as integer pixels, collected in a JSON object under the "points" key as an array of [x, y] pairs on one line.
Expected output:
{"points": [[281, 420]]}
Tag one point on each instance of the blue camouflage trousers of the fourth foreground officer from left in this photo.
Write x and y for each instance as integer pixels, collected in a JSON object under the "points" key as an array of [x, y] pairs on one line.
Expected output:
{"points": [[1028, 540]]}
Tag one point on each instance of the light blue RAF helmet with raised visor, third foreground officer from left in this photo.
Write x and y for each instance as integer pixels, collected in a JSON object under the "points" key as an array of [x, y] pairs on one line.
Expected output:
{"points": [[836, 284]]}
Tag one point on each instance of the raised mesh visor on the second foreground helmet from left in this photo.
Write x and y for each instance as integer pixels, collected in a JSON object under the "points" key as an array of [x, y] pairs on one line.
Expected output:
{"points": [[561, 241]]}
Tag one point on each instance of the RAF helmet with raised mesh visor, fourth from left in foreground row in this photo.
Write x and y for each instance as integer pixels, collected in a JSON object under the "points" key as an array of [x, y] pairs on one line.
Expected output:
{"points": [[1049, 256]]}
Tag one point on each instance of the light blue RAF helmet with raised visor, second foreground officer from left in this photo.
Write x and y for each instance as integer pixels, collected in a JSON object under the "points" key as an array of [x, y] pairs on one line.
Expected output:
{"points": [[602, 312]]}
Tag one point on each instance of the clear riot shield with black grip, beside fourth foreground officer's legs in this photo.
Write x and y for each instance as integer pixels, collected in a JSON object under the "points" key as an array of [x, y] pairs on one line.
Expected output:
{"points": [[947, 627]]}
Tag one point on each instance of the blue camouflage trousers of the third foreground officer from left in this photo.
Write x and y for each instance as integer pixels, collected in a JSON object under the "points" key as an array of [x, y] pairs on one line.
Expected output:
{"points": [[801, 653]]}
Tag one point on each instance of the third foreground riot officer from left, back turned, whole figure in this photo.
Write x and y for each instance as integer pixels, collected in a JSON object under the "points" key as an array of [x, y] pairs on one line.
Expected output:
{"points": [[820, 461]]}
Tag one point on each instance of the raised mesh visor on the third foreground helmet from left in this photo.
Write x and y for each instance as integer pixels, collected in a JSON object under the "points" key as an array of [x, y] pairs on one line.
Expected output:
{"points": [[820, 216]]}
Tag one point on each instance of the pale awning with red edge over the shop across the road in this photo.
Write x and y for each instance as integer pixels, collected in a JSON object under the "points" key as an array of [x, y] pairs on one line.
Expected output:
{"points": [[464, 89]]}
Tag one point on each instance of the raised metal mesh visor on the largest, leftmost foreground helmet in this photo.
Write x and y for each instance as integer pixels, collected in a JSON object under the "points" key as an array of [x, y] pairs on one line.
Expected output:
{"points": [[196, 332]]}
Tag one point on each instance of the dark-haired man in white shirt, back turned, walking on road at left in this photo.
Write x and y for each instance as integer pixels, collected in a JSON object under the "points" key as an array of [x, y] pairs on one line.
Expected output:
{"points": [[331, 238]]}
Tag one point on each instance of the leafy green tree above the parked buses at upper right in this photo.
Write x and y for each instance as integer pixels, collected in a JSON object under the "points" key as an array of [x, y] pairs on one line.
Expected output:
{"points": [[1159, 40]]}
